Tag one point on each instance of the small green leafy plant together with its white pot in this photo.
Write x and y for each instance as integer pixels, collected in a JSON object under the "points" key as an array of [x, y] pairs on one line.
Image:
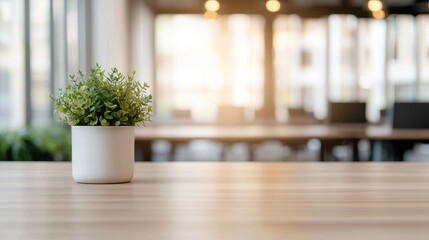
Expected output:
{"points": [[103, 109]]}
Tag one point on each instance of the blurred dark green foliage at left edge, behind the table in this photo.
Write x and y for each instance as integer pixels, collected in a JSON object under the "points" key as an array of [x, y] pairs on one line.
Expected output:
{"points": [[41, 144]]}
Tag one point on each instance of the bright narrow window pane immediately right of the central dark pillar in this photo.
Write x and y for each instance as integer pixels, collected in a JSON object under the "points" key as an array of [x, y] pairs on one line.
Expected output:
{"points": [[300, 65]]}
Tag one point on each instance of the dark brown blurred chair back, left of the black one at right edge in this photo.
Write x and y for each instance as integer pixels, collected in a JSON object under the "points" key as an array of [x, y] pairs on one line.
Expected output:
{"points": [[347, 112]]}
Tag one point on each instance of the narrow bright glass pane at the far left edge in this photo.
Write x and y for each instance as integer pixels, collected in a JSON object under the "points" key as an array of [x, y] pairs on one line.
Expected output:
{"points": [[11, 64]]}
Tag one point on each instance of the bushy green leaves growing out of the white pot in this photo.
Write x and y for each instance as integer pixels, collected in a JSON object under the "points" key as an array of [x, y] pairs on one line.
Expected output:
{"points": [[101, 99]]}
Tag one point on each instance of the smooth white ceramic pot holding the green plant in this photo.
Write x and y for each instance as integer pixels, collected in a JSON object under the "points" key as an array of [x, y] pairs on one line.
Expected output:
{"points": [[102, 154]]}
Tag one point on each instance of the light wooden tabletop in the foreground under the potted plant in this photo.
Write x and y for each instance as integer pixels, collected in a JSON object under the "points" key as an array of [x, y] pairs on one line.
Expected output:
{"points": [[235, 200]]}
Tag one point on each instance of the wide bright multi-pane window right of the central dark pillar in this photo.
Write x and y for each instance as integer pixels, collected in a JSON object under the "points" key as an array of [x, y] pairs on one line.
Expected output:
{"points": [[355, 70]]}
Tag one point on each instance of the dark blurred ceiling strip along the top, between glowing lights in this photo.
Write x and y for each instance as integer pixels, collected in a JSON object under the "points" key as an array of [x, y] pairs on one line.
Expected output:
{"points": [[305, 8]]}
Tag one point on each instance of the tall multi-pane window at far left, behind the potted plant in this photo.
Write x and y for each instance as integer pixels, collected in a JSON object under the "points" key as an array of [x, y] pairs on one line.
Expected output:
{"points": [[12, 57]]}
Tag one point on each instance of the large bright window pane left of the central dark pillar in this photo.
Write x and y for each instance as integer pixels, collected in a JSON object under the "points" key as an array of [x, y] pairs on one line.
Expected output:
{"points": [[202, 64]]}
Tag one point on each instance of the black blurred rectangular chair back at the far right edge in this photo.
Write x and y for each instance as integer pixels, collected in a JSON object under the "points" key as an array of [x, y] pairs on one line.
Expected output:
{"points": [[410, 115]]}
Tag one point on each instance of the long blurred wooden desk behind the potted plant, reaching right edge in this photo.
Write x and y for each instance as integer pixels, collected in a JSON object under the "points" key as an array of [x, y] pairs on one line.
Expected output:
{"points": [[257, 133]]}
